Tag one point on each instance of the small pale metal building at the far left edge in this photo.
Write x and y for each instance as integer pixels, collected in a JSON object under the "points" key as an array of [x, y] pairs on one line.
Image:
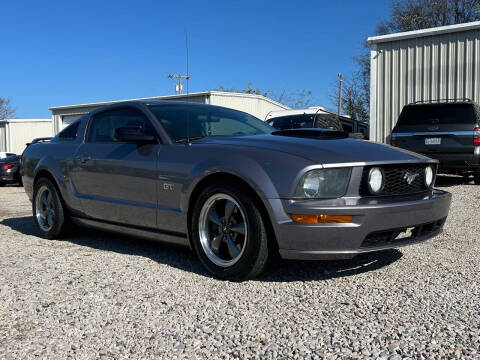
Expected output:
{"points": [[15, 133]]}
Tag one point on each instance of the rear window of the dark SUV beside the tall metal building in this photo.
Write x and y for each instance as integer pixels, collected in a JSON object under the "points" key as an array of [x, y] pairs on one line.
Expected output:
{"points": [[437, 114]]}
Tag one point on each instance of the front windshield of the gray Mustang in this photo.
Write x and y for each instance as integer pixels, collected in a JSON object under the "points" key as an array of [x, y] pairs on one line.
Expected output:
{"points": [[188, 121]]}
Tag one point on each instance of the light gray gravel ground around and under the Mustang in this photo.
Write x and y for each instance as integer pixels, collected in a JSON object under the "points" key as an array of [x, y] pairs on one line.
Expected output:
{"points": [[98, 295]]}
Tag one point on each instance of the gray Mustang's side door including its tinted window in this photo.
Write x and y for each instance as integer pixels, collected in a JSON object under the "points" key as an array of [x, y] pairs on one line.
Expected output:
{"points": [[117, 181]]}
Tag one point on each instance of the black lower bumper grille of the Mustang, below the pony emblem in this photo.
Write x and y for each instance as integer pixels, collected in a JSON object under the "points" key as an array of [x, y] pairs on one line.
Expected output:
{"points": [[395, 236]]}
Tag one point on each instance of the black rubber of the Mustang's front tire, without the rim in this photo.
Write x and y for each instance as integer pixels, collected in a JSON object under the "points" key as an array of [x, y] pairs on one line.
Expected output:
{"points": [[254, 256]]}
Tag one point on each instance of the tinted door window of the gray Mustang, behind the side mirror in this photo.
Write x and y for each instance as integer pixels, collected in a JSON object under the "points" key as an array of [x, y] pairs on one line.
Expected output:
{"points": [[103, 125]]}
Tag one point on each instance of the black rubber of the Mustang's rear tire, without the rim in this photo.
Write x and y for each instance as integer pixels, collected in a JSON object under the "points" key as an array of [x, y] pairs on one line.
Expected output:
{"points": [[57, 229]]}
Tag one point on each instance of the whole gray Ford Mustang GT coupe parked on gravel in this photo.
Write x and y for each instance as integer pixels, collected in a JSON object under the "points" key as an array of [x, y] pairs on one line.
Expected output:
{"points": [[230, 187]]}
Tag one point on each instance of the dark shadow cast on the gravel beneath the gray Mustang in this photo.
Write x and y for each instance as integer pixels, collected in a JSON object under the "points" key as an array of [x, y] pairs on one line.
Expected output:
{"points": [[184, 259]]}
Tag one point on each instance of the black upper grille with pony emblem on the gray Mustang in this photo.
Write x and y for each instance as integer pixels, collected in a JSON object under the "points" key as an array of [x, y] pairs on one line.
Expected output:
{"points": [[396, 180]]}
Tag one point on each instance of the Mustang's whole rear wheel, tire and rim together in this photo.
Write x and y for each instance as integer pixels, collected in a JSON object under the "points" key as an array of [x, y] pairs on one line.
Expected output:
{"points": [[48, 212]]}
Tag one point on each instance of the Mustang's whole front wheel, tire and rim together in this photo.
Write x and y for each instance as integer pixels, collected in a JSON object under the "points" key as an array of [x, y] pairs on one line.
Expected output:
{"points": [[219, 257]]}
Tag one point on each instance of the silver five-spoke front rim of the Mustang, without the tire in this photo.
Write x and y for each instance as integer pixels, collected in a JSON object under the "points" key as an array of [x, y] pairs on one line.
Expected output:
{"points": [[222, 229]]}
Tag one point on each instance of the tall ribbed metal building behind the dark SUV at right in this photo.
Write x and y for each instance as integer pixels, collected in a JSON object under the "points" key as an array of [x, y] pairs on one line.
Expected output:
{"points": [[430, 64]]}
